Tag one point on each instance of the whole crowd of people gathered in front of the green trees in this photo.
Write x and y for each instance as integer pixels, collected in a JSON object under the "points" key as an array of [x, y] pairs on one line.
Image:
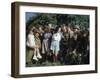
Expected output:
{"points": [[66, 44]]}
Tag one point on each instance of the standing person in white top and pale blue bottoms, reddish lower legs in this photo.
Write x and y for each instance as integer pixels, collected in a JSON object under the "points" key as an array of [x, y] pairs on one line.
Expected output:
{"points": [[55, 43]]}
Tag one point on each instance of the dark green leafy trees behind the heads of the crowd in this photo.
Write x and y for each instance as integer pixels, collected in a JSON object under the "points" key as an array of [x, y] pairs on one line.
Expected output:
{"points": [[58, 19]]}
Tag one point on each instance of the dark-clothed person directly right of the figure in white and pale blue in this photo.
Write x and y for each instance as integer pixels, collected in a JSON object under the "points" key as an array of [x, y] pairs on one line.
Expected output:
{"points": [[64, 44]]}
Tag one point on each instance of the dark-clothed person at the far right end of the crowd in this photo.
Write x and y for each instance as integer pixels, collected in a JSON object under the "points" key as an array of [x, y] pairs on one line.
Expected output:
{"points": [[85, 47]]}
